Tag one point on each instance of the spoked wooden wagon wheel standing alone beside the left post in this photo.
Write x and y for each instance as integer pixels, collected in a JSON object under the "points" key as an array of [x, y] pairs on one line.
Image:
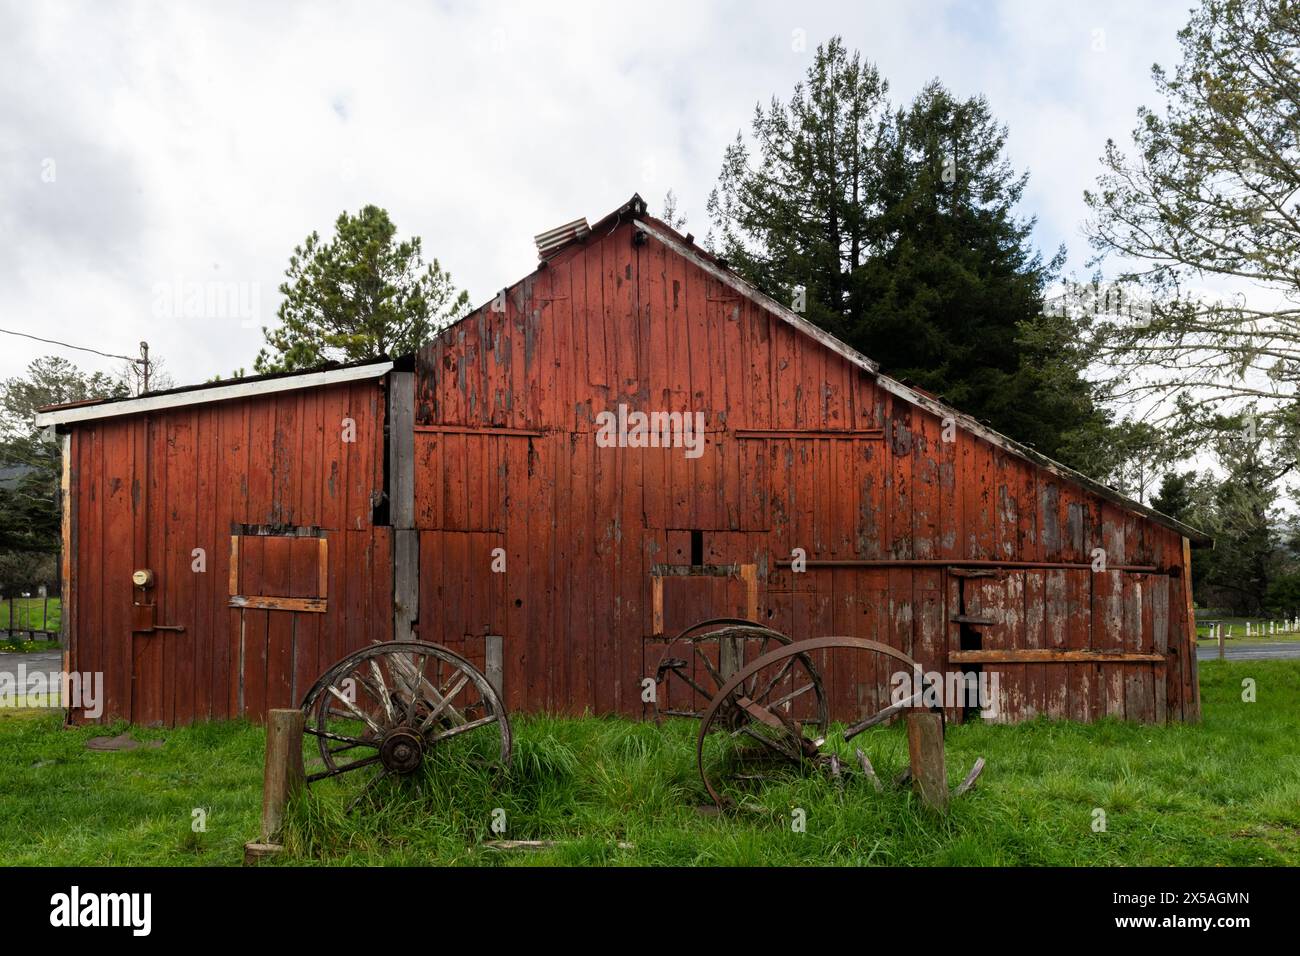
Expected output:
{"points": [[385, 710]]}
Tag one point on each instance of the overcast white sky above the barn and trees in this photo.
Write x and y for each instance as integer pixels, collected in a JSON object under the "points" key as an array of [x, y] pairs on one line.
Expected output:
{"points": [[151, 150]]}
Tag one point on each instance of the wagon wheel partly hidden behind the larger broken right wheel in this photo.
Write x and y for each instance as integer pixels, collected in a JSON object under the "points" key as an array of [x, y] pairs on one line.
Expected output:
{"points": [[700, 660]]}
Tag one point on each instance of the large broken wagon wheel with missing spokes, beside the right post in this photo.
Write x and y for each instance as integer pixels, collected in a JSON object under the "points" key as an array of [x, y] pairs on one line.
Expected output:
{"points": [[755, 707]]}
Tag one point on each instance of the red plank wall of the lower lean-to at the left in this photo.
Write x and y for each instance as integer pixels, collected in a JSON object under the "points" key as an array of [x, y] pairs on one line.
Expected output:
{"points": [[150, 490]]}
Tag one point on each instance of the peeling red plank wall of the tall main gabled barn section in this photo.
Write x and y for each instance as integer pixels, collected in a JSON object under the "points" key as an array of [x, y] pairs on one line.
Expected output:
{"points": [[610, 322]]}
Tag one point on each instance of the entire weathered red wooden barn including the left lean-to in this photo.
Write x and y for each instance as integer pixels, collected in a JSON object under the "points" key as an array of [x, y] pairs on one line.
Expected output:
{"points": [[473, 494]]}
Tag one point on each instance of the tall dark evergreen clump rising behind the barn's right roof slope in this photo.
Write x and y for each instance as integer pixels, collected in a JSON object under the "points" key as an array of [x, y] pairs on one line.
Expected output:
{"points": [[902, 228]]}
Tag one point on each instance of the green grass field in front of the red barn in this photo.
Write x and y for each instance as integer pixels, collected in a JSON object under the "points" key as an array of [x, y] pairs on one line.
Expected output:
{"points": [[1225, 793]]}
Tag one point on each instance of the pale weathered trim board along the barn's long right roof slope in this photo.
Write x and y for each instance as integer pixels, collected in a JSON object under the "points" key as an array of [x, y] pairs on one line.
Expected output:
{"points": [[909, 395]]}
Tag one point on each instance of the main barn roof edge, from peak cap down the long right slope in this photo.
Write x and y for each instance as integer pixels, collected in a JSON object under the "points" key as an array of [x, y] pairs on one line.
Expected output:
{"points": [[635, 211]]}
